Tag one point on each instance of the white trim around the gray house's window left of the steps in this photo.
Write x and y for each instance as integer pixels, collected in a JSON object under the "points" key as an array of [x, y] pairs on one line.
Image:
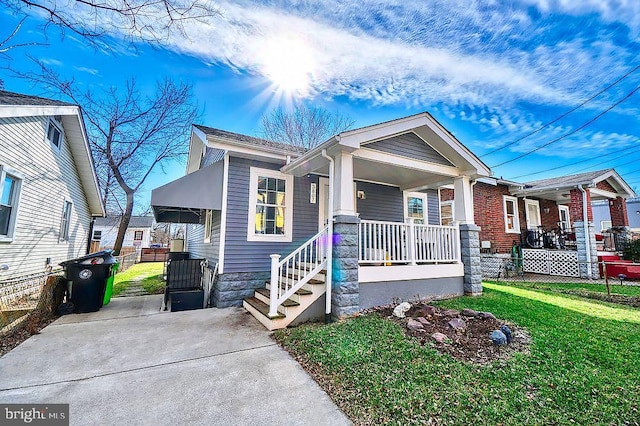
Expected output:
{"points": [[254, 173]]}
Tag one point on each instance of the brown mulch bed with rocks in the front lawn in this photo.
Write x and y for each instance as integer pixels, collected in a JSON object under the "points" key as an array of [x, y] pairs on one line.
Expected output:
{"points": [[472, 344]]}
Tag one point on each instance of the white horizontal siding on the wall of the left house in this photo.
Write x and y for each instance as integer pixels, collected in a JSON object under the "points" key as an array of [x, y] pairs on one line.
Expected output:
{"points": [[50, 178]]}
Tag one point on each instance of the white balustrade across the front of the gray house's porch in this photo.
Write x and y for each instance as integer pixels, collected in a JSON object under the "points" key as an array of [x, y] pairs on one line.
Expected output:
{"points": [[391, 243]]}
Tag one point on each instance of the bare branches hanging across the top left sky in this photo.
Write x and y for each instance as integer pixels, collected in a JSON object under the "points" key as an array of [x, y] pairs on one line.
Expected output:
{"points": [[145, 20]]}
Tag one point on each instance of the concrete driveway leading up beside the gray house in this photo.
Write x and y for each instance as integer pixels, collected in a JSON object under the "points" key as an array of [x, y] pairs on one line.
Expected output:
{"points": [[129, 363]]}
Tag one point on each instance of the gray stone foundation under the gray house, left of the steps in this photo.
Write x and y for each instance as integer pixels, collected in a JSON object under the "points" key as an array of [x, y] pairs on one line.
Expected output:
{"points": [[230, 289]]}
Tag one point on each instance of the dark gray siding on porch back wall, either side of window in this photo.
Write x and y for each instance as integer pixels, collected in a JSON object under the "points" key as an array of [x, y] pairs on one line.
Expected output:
{"points": [[386, 203]]}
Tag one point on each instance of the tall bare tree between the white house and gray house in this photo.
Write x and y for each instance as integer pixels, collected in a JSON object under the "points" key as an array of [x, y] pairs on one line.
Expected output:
{"points": [[130, 134]]}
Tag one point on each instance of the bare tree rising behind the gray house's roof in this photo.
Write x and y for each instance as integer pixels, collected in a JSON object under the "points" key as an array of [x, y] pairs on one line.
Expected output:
{"points": [[303, 126]]}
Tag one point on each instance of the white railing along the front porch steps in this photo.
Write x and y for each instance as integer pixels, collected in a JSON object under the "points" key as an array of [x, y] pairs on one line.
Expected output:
{"points": [[291, 273]]}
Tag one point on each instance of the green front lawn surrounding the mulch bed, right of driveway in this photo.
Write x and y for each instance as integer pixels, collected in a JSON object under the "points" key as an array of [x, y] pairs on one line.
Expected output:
{"points": [[582, 367]]}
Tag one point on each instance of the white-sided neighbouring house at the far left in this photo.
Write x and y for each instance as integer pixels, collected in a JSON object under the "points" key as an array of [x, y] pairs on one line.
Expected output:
{"points": [[48, 188]]}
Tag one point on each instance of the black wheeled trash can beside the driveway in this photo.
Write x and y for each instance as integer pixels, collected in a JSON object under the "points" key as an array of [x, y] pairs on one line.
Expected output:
{"points": [[87, 277]]}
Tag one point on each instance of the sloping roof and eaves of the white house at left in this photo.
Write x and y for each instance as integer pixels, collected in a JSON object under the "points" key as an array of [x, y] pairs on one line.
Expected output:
{"points": [[13, 105]]}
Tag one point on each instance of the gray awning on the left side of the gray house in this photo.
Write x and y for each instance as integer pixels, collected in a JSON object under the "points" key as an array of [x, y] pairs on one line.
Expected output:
{"points": [[185, 199]]}
